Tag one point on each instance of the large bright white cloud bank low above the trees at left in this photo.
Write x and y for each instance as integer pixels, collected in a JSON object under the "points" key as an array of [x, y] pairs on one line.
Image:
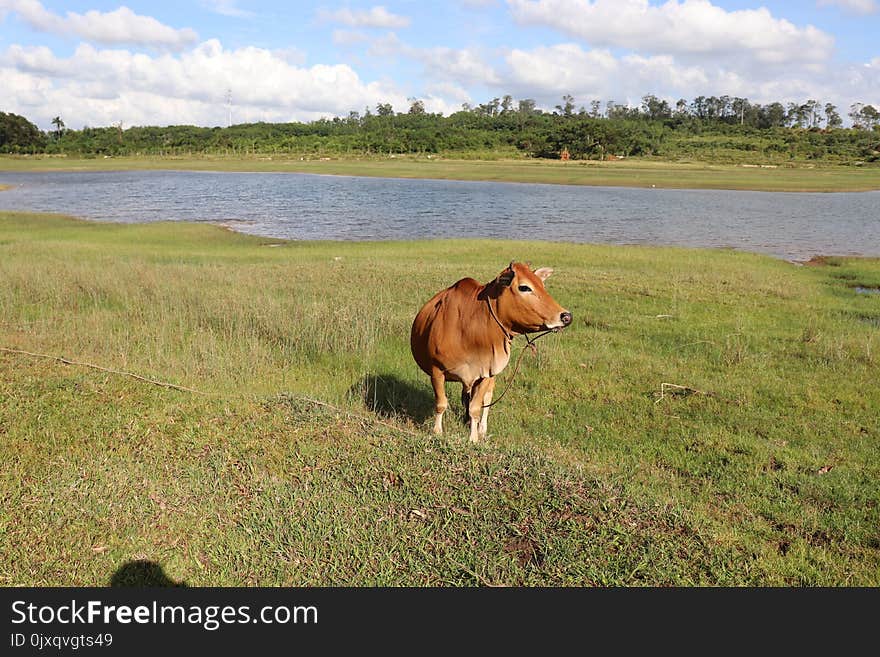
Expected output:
{"points": [[102, 87]]}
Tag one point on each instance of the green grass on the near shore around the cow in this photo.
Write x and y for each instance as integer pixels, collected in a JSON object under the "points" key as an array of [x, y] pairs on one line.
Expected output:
{"points": [[763, 473]]}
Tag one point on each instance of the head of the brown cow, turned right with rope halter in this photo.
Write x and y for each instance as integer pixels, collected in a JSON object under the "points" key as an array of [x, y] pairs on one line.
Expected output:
{"points": [[523, 302]]}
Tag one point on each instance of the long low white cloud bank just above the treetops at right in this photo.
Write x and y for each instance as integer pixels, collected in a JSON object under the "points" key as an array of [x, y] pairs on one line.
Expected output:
{"points": [[546, 73]]}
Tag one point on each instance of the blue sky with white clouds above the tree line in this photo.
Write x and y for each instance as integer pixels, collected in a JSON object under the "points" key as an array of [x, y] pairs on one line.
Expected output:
{"points": [[212, 62]]}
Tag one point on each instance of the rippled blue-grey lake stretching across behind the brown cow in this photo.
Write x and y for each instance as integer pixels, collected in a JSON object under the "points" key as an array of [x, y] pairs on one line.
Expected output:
{"points": [[794, 226]]}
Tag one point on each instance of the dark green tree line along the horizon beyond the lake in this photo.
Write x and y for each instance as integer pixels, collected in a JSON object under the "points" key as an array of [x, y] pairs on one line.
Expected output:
{"points": [[713, 128]]}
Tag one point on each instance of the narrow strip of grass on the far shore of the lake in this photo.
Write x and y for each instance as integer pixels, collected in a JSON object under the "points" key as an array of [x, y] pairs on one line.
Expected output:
{"points": [[629, 173]]}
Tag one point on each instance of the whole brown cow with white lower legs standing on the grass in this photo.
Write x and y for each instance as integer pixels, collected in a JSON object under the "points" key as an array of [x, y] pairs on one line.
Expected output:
{"points": [[464, 334]]}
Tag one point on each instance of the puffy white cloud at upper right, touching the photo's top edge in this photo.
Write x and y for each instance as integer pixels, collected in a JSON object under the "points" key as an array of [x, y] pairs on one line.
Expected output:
{"points": [[694, 28]]}
